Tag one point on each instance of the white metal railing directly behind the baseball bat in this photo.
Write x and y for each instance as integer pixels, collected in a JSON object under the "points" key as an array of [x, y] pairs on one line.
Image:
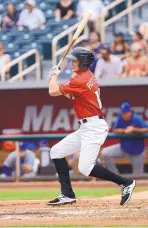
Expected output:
{"points": [[68, 32]]}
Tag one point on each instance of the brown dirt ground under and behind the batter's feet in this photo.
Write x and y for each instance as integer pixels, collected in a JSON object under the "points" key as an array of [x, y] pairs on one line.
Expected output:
{"points": [[95, 212]]}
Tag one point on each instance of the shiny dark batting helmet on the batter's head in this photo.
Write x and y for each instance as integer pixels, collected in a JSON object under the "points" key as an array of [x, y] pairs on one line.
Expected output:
{"points": [[84, 55]]}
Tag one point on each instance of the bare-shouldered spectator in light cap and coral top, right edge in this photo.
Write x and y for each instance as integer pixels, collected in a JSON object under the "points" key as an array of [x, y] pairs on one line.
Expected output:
{"points": [[137, 64]]}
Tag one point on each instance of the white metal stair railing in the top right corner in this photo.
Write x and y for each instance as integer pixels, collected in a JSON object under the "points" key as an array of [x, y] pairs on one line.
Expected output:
{"points": [[127, 11]]}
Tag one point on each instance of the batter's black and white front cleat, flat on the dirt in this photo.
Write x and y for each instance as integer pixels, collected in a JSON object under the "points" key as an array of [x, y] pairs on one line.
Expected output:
{"points": [[61, 200]]}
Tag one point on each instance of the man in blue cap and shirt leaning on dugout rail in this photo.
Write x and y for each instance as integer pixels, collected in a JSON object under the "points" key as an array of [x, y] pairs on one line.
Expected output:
{"points": [[128, 122]]}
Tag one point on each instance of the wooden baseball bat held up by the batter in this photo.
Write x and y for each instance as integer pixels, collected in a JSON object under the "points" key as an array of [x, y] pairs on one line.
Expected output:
{"points": [[75, 36]]}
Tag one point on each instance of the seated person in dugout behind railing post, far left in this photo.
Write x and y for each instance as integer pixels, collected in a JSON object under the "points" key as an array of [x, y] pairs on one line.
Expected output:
{"points": [[28, 163]]}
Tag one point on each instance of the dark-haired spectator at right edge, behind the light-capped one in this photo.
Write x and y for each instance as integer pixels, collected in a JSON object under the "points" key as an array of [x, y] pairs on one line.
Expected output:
{"points": [[138, 39]]}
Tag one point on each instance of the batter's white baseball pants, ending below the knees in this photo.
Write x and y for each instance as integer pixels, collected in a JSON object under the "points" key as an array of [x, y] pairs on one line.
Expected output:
{"points": [[87, 139]]}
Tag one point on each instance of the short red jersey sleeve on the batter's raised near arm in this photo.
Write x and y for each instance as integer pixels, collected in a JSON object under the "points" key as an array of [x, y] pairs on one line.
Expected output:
{"points": [[70, 87]]}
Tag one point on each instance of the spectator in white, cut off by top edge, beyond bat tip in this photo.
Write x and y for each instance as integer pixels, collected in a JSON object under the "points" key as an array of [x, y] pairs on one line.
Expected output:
{"points": [[96, 7]]}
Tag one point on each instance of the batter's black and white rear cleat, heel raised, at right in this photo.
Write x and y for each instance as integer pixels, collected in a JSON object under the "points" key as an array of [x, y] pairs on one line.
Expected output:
{"points": [[126, 192]]}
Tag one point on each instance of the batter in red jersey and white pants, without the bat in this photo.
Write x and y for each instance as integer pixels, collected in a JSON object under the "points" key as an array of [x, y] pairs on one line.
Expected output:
{"points": [[83, 90]]}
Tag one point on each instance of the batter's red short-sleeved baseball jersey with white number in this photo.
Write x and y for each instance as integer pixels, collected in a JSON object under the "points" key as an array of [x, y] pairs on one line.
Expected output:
{"points": [[85, 94]]}
